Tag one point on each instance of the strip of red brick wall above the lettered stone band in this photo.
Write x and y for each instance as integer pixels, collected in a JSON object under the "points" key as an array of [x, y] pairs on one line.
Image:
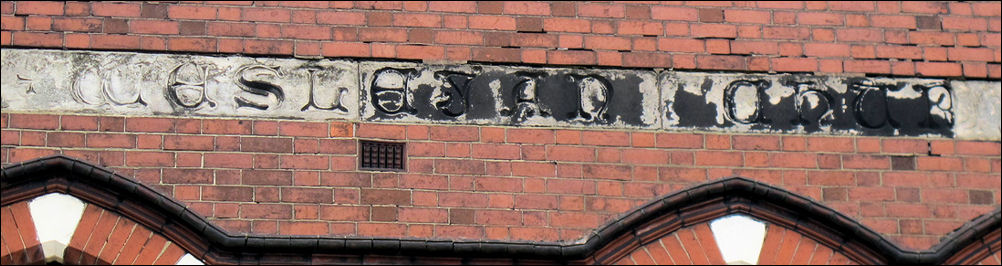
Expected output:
{"points": [[902, 39]]}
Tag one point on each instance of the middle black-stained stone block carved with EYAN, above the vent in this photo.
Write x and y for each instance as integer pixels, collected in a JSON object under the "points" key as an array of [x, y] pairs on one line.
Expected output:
{"points": [[486, 95]]}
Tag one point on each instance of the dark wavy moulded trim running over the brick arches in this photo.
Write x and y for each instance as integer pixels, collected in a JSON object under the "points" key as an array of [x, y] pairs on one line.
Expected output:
{"points": [[971, 243]]}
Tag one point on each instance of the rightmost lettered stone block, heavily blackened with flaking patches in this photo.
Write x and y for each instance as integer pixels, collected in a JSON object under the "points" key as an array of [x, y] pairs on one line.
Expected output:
{"points": [[811, 104]]}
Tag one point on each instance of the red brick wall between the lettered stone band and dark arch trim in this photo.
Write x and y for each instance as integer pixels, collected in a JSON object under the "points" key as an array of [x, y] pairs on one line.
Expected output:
{"points": [[295, 178]]}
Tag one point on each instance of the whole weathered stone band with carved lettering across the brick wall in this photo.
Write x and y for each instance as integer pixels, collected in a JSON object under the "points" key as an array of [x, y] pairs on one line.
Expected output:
{"points": [[178, 85]]}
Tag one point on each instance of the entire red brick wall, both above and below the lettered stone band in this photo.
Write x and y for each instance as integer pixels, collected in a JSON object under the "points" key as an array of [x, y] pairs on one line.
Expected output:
{"points": [[286, 177]]}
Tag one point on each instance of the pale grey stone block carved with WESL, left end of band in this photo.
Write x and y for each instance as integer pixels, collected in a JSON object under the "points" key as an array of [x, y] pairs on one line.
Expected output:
{"points": [[143, 85]]}
